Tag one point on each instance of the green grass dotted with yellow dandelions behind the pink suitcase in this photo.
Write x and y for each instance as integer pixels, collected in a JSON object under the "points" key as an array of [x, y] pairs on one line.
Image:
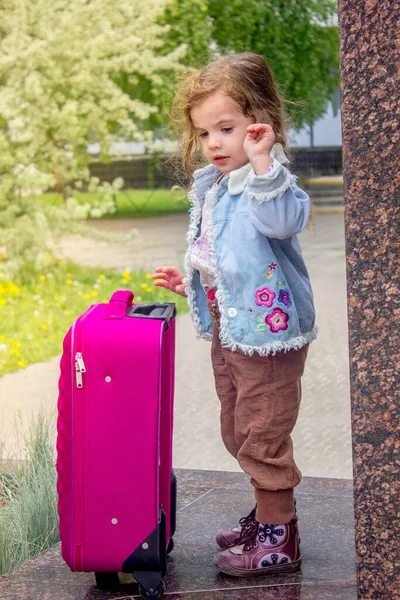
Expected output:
{"points": [[36, 313]]}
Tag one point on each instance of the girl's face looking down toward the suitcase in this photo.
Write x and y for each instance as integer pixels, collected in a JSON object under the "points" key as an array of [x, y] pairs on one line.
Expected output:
{"points": [[221, 128]]}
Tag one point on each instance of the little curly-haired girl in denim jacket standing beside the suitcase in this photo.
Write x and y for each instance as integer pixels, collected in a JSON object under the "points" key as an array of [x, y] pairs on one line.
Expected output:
{"points": [[248, 291]]}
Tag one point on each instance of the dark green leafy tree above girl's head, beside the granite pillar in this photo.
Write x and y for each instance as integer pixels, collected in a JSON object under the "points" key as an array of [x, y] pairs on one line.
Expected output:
{"points": [[299, 39]]}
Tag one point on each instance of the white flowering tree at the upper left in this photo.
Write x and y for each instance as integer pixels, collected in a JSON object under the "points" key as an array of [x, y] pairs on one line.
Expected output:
{"points": [[60, 62]]}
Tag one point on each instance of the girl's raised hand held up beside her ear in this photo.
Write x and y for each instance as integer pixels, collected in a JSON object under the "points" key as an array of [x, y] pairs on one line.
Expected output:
{"points": [[257, 144]]}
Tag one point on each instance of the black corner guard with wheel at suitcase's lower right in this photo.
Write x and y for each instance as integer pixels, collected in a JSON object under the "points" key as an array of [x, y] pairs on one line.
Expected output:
{"points": [[148, 562]]}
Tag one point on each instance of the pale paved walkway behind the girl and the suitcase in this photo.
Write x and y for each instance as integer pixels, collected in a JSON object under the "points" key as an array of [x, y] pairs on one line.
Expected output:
{"points": [[322, 436]]}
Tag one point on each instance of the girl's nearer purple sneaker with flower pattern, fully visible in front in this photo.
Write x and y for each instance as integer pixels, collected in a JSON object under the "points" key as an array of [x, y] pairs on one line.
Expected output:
{"points": [[262, 549]]}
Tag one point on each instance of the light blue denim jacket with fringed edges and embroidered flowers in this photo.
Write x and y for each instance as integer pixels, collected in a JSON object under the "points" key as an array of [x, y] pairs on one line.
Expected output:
{"points": [[263, 289]]}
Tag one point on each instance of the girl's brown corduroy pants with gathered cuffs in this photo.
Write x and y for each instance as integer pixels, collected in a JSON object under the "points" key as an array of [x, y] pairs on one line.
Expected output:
{"points": [[260, 401]]}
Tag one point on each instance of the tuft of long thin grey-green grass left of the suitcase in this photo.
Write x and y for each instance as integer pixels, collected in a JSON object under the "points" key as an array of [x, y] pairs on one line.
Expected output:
{"points": [[28, 498]]}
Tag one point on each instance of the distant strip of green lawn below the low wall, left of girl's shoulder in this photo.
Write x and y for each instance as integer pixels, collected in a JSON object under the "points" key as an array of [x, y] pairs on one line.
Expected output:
{"points": [[135, 203]]}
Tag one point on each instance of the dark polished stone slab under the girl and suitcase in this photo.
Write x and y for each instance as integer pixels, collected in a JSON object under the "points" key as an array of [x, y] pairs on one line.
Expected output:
{"points": [[208, 502]]}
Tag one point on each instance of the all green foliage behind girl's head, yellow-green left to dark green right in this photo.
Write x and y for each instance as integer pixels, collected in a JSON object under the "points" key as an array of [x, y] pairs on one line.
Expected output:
{"points": [[299, 38]]}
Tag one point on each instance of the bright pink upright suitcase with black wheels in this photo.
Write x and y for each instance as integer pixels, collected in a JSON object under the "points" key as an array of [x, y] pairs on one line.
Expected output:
{"points": [[116, 488]]}
